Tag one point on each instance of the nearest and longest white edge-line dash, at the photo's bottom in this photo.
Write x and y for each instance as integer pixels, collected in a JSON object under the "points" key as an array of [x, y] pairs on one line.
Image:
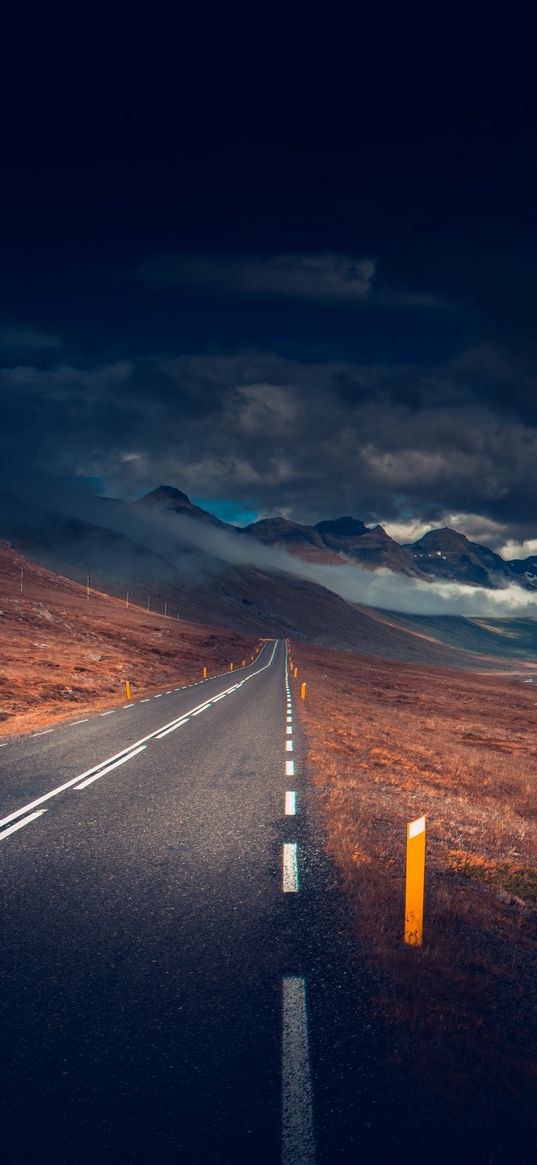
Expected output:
{"points": [[298, 1105]]}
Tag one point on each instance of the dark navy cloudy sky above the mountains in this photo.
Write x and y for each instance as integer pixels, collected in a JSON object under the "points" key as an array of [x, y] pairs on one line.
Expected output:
{"points": [[280, 287]]}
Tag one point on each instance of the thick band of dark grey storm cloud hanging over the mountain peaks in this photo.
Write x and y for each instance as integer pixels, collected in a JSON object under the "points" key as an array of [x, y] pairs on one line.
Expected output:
{"points": [[308, 439]]}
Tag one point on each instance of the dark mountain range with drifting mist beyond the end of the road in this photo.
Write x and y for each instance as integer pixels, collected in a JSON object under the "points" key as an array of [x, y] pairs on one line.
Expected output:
{"points": [[208, 571]]}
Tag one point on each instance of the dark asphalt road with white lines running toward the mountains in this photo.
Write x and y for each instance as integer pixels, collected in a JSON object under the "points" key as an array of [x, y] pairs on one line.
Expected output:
{"points": [[176, 978]]}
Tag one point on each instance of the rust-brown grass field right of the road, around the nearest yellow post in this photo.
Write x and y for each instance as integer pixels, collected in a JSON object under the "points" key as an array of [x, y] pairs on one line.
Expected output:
{"points": [[391, 742]]}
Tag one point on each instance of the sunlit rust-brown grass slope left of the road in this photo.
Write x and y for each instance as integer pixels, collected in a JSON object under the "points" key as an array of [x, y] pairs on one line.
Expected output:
{"points": [[62, 655]]}
